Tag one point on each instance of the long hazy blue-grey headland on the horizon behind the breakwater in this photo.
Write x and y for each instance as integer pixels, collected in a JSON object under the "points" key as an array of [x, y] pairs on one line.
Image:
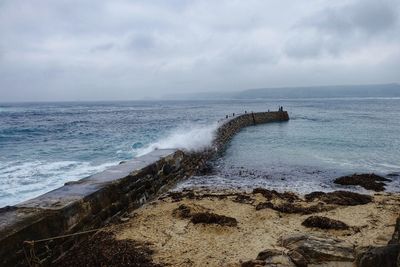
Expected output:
{"points": [[375, 90]]}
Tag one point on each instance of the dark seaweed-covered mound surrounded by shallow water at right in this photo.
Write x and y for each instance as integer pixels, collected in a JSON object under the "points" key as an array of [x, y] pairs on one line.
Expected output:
{"points": [[369, 181]]}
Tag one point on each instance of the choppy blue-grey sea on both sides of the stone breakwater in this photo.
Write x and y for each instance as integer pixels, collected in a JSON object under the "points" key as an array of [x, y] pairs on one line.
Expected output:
{"points": [[44, 145]]}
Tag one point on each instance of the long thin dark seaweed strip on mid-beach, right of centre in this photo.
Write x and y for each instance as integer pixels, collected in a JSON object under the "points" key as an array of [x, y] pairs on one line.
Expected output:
{"points": [[293, 208]]}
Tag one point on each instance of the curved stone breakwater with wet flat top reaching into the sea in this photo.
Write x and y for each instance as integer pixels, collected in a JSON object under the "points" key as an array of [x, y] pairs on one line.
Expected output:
{"points": [[97, 200]]}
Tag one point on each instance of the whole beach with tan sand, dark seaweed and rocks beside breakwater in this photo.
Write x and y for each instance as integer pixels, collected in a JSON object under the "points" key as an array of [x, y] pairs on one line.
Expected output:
{"points": [[258, 228]]}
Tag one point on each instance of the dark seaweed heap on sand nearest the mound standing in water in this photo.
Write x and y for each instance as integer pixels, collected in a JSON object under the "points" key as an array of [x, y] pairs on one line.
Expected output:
{"points": [[344, 198]]}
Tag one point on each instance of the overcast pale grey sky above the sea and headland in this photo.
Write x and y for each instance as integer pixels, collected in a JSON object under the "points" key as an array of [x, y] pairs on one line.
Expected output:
{"points": [[68, 50]]}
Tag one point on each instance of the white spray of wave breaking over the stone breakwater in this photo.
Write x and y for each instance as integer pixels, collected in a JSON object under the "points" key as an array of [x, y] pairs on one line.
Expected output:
{"points": [[187, 137]]}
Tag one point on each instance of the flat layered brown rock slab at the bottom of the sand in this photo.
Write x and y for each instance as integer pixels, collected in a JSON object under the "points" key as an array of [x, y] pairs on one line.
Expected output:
{"points": [[318, 249]]}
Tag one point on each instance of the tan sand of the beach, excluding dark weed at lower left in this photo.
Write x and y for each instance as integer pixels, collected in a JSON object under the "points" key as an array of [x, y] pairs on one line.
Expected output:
{"points": [[167, 227]]}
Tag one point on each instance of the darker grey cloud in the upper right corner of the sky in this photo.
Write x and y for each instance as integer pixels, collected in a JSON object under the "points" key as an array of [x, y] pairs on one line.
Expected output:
{"points": [[334, 30]]}
